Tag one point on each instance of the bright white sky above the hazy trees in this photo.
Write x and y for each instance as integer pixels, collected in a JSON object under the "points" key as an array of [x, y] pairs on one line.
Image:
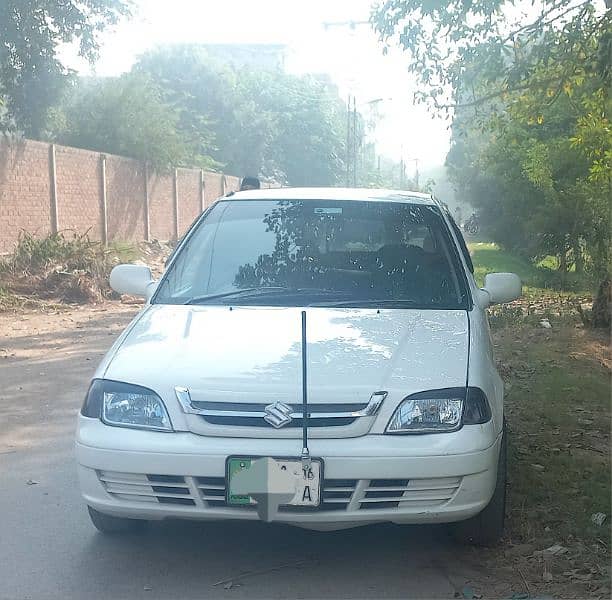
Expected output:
{"points": [[351, 56]]}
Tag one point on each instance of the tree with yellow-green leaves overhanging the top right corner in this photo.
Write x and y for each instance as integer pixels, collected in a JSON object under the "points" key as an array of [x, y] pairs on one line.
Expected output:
{"points": [[528, 87]]}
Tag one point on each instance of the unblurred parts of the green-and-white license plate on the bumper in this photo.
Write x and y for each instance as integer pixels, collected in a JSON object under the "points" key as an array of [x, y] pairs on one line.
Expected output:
{"points": [[307, 486]]}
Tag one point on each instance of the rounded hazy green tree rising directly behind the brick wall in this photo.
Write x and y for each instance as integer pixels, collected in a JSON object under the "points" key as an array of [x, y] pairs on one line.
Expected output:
{"points": [[127, 115]]}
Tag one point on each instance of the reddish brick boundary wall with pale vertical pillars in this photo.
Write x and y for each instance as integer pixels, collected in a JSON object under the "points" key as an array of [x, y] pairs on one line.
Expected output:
{"points": [[46, 188]]}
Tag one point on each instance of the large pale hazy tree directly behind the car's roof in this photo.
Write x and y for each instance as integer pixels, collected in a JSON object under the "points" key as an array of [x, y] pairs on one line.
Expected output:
{"points": [[287, 128]]}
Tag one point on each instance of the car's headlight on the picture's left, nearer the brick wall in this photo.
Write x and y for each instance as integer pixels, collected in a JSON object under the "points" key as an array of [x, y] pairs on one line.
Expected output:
{"points": [[126, 405]]}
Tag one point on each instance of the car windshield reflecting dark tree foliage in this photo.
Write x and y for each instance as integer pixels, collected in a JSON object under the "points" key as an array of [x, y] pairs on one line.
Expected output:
{"points": [[334, 253]]}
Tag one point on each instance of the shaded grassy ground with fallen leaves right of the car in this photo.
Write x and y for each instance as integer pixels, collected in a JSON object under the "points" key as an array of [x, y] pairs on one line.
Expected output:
{"points": [[558, 411]]}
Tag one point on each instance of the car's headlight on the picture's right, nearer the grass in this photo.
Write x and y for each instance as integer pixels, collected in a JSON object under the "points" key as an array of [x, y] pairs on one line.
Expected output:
{"points": [[437, 411]]}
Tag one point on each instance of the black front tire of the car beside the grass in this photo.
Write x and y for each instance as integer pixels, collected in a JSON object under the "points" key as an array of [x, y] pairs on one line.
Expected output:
{"points": [[487, 527]]}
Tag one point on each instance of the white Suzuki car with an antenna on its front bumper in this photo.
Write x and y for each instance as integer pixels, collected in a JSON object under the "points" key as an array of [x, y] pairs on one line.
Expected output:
{"points": [[318, 357]]}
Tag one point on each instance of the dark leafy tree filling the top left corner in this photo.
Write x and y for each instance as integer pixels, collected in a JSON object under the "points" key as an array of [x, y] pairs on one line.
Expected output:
{"points": [[31, 76]]}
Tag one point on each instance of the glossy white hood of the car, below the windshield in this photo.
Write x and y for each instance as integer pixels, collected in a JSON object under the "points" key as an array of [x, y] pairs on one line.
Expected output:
{"points": [[254, 353]]}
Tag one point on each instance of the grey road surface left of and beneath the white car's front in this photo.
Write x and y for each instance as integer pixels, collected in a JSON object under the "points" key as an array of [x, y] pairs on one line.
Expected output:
{"points": [[49, 549]]}
